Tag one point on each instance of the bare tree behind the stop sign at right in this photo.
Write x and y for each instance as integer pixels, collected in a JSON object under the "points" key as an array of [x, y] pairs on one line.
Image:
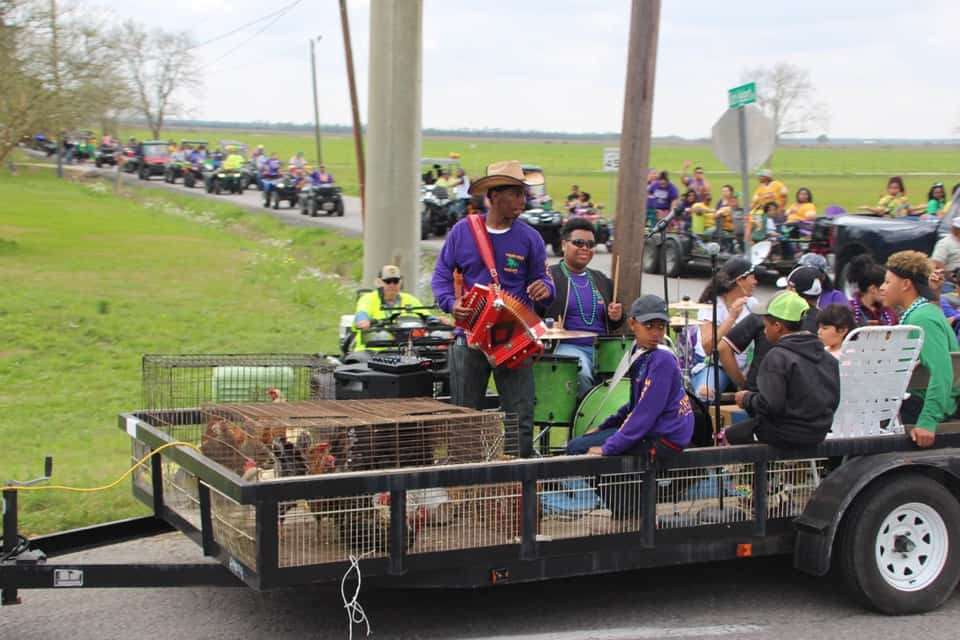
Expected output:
{"points": [[786, 94]]}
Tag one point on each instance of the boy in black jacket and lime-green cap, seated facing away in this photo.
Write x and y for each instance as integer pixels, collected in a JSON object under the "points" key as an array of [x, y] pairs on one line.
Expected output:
{"points": [[798, 382]]}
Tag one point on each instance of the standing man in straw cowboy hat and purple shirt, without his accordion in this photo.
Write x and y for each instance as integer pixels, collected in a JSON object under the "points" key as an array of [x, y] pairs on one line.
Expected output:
{"points": [[521, 261]]}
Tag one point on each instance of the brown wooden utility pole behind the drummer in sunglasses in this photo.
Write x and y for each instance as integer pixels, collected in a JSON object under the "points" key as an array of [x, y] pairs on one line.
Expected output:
{"points": [[635, 146]]}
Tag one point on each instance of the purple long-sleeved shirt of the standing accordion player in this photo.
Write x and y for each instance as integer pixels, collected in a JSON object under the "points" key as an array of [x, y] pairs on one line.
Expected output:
{"points": [[518, 253]]}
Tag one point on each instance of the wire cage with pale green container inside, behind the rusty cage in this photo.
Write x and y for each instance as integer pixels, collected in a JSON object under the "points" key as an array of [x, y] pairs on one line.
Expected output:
{"points": [[187, 381]]}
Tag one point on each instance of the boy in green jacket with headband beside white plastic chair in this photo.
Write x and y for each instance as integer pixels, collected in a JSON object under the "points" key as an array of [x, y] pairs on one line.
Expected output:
{"points": [[906, 286]]}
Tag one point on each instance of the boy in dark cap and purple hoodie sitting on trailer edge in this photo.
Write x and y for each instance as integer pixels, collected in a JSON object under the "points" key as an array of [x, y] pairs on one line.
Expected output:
{"points": [[659, 415]]}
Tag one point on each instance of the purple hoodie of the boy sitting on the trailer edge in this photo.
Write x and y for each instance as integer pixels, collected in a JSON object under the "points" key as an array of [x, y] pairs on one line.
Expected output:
{"points": [[658, 406]]}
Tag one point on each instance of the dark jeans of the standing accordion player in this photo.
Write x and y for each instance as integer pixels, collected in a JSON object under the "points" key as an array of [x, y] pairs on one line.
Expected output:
{"points": [[469, 371]]}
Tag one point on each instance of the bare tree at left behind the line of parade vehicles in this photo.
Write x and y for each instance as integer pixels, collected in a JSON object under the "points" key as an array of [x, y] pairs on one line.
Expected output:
{"points": [[160, 67]]}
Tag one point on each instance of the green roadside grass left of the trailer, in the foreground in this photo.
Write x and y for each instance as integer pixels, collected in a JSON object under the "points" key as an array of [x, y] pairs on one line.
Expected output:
{"points": [[91, 282]]}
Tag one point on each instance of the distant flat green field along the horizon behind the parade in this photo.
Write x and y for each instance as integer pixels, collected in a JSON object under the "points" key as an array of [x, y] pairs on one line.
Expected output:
{"points": [[834, 174]]}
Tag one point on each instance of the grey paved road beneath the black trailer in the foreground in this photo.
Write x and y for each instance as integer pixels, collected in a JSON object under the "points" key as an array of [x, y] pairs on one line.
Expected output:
{"points": [[746, 599]]}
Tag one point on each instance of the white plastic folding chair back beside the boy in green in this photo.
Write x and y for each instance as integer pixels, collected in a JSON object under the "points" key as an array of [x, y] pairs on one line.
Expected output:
{"points": [[875, 368]]}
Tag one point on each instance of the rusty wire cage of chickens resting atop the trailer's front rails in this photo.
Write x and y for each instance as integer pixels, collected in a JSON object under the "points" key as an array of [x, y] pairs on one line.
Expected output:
{"points": [[284, 439]]}
